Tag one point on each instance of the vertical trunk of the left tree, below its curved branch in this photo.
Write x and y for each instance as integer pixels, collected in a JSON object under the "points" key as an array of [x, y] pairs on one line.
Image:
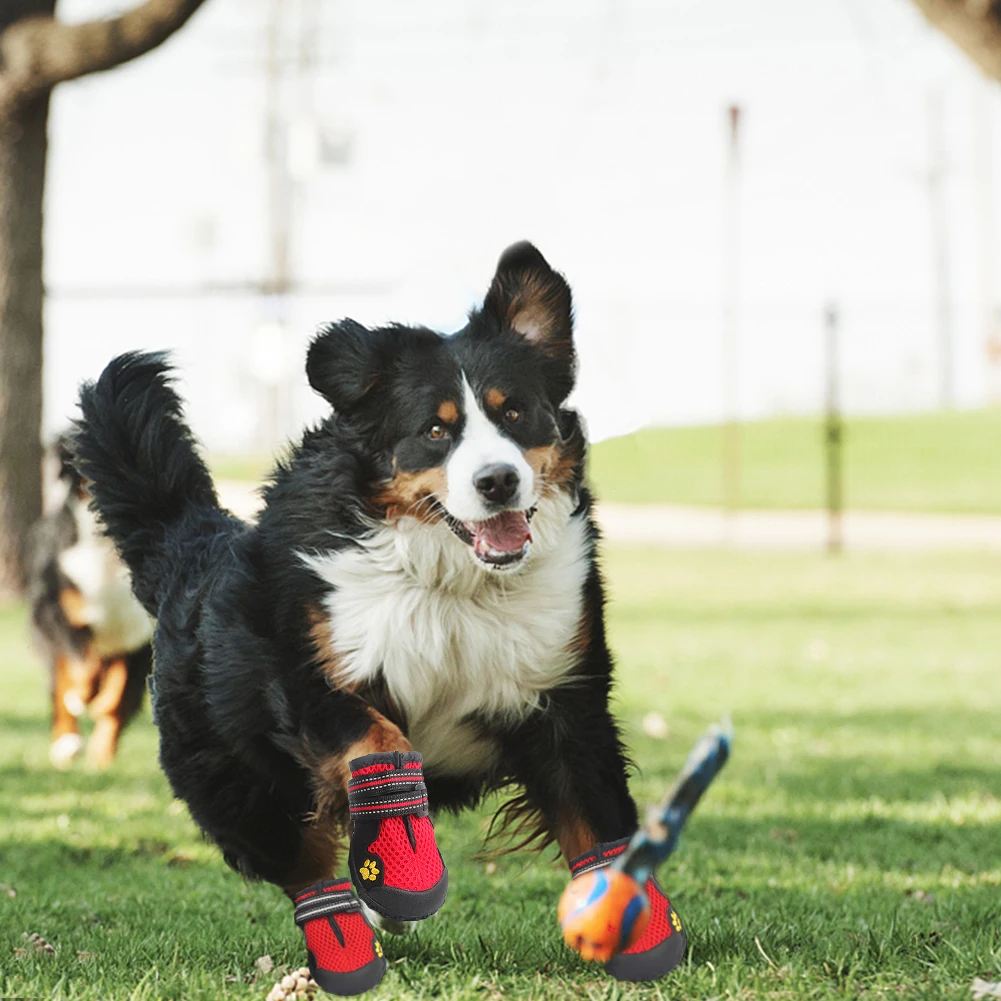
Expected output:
{"points": [[24, 145]]}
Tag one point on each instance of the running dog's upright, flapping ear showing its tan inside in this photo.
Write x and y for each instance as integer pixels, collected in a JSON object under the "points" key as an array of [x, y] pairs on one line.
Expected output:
{"points": [[530, 299]]}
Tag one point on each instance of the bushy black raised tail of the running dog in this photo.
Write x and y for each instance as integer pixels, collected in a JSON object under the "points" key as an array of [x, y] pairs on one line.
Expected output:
{"points": [[145, 472]]}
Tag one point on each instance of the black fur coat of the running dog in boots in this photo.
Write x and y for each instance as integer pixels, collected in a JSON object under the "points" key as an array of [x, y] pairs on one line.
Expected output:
{"points": [[247, 712]]}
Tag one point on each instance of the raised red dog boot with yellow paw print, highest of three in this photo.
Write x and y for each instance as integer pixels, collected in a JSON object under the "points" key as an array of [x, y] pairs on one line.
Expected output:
{"points": [[395, 860]]}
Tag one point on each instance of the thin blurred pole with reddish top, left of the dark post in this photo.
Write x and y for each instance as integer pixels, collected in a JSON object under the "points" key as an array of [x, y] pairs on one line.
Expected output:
{"points": [[731, 293]]}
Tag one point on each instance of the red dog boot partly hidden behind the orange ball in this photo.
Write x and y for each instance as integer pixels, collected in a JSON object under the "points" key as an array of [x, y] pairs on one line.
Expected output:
{"points": [[662, 946]]}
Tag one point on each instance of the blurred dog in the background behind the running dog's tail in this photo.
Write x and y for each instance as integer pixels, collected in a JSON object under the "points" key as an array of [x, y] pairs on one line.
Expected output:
{"points": [[93, 632]]}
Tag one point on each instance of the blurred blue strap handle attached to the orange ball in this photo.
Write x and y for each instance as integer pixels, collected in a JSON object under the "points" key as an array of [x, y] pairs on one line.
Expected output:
{"points": [[658, 838]]}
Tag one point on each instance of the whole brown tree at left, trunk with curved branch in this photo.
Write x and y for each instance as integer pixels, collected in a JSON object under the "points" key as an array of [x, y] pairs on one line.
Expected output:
{"points": [[38, 53]]}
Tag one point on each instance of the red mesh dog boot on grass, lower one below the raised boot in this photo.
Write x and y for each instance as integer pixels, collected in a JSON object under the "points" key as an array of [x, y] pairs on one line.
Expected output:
{"points": [[345, 955]]}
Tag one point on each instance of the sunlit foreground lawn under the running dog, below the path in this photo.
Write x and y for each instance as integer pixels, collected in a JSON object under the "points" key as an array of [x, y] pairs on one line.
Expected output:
{"points": [[855, 836]]}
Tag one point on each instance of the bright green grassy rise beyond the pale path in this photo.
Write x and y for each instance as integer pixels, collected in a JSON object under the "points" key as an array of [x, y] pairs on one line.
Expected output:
{"points": [[934, 463]]}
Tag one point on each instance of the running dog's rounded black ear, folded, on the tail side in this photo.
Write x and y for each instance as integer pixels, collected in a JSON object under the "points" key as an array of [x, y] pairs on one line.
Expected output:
{"points": [[343, 364]]}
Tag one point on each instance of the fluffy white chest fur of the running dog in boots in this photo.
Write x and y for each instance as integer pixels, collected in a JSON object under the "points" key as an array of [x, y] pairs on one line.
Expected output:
{"points": [[452, 640]]}
